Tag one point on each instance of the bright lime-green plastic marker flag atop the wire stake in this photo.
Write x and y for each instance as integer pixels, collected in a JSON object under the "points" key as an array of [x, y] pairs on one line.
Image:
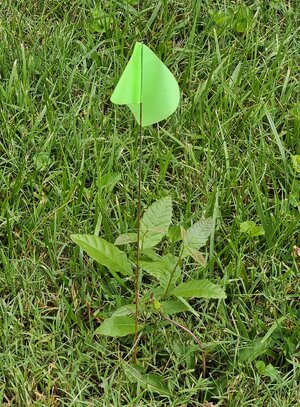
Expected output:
{"points": [[147, 87]]}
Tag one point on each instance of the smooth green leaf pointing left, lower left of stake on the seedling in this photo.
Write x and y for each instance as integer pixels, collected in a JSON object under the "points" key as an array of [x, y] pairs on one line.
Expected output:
{"points": [[116, 326]]}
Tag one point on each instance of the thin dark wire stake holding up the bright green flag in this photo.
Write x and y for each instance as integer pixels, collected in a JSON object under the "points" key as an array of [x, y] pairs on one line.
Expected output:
{"points": [[137, 270]]}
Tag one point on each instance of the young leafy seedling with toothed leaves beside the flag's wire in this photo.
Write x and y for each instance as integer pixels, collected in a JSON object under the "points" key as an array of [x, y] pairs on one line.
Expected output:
{"points": [[170, 289]]}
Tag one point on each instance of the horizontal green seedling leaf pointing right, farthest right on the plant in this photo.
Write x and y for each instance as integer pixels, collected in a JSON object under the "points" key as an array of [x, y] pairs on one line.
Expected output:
{"points": [[199, 289]]}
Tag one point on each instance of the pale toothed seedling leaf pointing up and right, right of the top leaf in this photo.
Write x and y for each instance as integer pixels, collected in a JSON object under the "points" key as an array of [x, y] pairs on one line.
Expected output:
{"points": [[196, 236]]}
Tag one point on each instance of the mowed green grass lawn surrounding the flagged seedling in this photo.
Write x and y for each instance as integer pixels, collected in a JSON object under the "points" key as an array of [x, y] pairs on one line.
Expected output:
{"points": [[69, 162]]}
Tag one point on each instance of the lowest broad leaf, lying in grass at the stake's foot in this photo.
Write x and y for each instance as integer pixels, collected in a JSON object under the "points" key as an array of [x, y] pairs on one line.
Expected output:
{"points": [[152, 382]]}
